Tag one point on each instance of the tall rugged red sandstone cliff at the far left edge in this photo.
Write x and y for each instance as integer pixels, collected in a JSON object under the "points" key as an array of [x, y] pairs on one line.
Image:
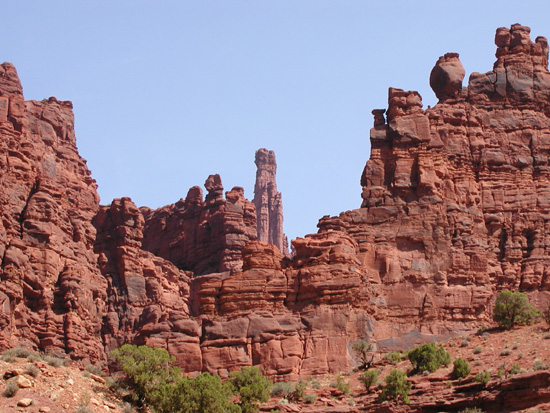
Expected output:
{"points": [[52, 293]]}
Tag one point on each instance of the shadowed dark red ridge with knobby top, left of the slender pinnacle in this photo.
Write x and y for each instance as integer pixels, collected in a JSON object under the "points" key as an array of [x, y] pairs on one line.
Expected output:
{"points": [[202, 236]]}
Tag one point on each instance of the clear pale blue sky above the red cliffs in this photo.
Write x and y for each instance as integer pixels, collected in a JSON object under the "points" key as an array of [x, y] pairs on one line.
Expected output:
{"points": [[167, 92]]}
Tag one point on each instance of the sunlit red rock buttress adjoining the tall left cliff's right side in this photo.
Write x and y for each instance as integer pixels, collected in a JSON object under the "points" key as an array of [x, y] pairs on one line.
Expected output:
{"points": [[147, 296]]}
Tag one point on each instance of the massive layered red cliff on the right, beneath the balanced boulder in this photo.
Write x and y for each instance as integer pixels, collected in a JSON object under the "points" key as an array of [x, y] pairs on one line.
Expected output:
{"points": [[455, 198]]}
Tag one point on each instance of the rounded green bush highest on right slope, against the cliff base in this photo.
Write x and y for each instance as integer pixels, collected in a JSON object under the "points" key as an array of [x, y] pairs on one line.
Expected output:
{"points": [[513, 309]]}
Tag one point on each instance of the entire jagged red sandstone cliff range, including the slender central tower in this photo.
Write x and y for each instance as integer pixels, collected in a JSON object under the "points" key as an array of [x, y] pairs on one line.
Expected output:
{"points": [[455, 207]]}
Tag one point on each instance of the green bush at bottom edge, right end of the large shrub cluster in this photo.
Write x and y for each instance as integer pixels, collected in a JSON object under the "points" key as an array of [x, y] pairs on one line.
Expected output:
{"points": [[251, 387]]}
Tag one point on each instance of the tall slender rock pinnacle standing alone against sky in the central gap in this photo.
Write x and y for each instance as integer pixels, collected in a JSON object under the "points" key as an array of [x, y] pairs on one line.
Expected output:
{"points": [[268, 202]]}
